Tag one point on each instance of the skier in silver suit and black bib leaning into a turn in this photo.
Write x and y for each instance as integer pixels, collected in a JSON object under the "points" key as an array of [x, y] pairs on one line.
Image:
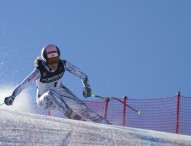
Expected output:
{"points": [[51, 93]]}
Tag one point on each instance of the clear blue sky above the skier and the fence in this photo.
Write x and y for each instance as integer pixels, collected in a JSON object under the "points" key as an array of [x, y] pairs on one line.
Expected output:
{"points": [[137, 48]]}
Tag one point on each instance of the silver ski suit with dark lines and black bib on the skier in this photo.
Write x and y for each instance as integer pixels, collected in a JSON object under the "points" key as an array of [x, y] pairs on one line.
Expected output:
{"points": [[52, 94]]}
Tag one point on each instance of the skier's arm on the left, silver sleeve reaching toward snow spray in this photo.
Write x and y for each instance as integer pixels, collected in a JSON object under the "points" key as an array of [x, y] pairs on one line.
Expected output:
{"points": [[26, 82]]}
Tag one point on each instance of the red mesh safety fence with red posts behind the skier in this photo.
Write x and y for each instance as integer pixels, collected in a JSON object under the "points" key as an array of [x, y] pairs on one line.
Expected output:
{"points": [[170, 114]]}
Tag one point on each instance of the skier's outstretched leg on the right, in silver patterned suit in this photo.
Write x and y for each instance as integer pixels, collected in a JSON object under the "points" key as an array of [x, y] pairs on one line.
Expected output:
{"points": [[79, 107]]}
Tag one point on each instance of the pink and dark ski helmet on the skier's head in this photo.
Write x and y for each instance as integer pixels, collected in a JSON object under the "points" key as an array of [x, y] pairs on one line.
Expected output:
{"points": [[50, 51]]}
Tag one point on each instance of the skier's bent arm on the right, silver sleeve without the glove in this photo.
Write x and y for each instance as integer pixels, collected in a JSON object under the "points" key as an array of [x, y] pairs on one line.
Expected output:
{"points": [[77, 72]]}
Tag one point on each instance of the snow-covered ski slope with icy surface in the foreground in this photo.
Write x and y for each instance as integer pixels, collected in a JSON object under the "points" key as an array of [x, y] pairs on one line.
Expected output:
{"points": [[23, 129]]}
